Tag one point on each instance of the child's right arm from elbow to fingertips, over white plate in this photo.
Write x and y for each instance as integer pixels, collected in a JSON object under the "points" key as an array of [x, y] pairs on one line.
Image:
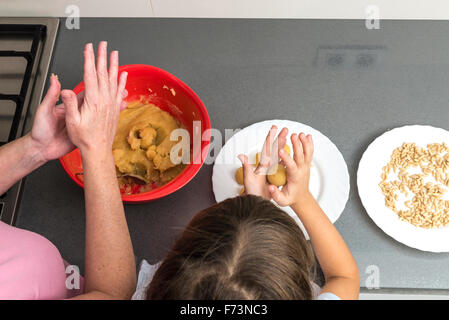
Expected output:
{"points": [[339, 267]]}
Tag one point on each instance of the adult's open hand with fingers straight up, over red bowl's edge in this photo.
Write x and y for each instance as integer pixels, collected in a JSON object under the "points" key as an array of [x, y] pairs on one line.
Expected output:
{"points": [[91, 125]]}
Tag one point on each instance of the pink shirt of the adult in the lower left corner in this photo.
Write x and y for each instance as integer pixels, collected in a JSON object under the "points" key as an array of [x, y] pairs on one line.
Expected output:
{"points": [[31, 267]]}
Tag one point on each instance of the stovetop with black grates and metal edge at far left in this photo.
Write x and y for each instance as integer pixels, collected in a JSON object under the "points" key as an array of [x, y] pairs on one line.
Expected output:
{"points": [[26, 46]]}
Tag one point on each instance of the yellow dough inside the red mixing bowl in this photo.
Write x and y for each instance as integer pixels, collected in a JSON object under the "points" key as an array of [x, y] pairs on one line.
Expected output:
{"points": [[142, 144]]}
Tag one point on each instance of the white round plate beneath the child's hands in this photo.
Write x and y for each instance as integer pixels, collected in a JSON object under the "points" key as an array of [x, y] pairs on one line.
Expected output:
{"points": [[329, 178]]}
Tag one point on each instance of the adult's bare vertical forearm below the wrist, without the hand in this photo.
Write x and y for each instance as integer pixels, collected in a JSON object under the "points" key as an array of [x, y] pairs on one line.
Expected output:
{"points": [[110, 271]]}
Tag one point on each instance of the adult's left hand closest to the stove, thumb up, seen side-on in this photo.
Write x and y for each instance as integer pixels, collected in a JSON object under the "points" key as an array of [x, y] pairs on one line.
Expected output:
{"points": [[49, 133]]}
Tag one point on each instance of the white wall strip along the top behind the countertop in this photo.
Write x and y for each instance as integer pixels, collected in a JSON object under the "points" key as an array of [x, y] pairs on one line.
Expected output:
{"points": [[330, 9]]}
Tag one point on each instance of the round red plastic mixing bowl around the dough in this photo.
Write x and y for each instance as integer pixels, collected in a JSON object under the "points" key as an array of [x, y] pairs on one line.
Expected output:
{"points": [[170, 94]]}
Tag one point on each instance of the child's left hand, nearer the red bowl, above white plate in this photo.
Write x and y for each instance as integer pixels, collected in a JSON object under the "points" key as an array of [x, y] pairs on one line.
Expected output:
{"points": [[255, 181]]}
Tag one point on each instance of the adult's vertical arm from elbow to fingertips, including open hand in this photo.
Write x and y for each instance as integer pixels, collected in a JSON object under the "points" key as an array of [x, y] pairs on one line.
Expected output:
{"points": [[110, 271]]}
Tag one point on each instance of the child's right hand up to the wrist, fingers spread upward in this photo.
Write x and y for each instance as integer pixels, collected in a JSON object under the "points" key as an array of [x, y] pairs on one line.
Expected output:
{"points": [[298, 172]]}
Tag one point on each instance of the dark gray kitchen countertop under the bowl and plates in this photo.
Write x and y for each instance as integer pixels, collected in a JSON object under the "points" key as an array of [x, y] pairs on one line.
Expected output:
{"points": [[350, 83]]}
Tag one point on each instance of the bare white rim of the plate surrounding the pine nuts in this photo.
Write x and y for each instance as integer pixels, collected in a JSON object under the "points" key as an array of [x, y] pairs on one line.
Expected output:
{"points": [[376, 156]]}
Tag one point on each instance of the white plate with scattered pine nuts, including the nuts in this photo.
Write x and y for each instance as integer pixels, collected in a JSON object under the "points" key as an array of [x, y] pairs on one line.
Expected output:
{"points": [[403, 182]]}
